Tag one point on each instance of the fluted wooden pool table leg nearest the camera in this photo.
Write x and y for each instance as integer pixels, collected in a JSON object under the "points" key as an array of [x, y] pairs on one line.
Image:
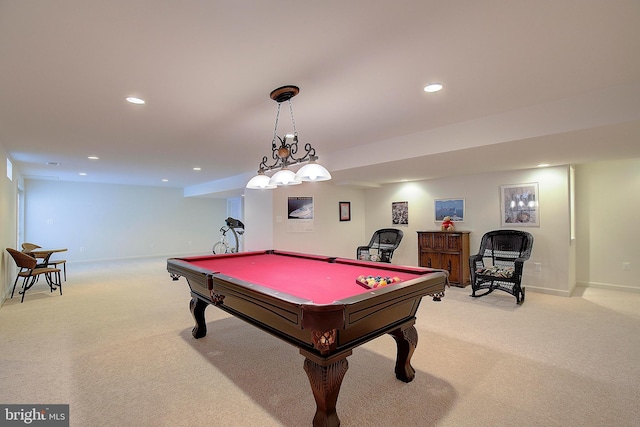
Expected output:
{"points": [[326, 380]]}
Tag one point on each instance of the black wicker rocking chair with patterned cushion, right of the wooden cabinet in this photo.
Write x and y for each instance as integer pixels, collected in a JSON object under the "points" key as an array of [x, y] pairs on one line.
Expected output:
{"points": [[499, 262]]}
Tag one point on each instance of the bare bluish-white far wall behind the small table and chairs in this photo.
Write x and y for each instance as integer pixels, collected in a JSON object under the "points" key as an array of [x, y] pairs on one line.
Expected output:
{"points": [[102, 221]]}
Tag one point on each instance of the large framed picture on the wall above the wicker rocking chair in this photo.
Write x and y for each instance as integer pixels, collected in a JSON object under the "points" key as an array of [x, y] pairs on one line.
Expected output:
{"points": [[519, 205]]}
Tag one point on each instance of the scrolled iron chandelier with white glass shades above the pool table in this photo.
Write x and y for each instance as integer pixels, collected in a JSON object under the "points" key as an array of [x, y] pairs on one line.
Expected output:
{"points": [[284, 153]]}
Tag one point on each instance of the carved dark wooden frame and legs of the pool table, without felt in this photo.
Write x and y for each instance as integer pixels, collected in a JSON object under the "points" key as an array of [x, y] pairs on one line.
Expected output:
{"points": [[325, 334]]}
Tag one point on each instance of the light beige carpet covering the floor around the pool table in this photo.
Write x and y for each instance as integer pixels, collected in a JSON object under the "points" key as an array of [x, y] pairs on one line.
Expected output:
{"points": [[117, 347]]}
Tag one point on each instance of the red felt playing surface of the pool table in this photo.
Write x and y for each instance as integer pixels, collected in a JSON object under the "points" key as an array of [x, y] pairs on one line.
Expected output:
{"points": [[318, 282]]}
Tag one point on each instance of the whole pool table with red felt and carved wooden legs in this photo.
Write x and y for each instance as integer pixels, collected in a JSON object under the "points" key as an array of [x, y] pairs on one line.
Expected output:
{"points": [[315, 303]]}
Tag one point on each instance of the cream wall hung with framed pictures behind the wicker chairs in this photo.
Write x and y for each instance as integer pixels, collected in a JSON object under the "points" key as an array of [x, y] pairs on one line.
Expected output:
{"points": [[371, 210]]}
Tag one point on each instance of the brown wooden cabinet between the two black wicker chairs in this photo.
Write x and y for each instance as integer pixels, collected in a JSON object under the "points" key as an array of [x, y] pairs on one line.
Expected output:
{"points": [[447, 250]]}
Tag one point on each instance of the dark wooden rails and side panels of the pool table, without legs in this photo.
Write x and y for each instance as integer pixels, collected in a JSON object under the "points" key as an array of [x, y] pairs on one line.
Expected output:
{"points": [[357, 319]]}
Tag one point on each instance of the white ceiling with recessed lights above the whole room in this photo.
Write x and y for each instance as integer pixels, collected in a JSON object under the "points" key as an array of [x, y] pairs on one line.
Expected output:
{"points": [[555, 81]]}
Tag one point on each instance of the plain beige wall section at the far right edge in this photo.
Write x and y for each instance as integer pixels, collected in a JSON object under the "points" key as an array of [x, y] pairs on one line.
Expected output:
{"points": [[607, 206]]}
